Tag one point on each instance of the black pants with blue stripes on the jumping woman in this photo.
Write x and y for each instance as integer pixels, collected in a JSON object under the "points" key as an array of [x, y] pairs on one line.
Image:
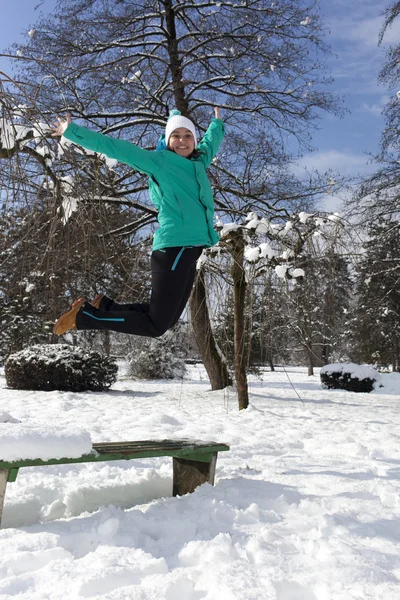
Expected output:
{"points": [[172, 274]]}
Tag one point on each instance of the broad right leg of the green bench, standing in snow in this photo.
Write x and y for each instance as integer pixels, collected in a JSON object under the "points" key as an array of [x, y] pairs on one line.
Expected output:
{"points": [[188, 474]]}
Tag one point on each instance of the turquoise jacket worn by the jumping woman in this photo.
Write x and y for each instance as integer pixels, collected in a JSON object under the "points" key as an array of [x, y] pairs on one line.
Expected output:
{"points": [[178, 186]]}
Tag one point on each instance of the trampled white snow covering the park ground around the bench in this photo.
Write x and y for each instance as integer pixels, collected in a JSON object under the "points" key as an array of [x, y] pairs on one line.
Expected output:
{"points": [[306, 504]]}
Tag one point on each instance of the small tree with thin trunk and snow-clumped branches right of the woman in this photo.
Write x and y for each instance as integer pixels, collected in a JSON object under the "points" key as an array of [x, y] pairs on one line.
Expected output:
{"points": [[264, 244]]}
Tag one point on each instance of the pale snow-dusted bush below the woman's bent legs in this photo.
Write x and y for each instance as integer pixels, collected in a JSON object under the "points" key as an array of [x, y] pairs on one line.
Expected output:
{"points": [[156, 361]]}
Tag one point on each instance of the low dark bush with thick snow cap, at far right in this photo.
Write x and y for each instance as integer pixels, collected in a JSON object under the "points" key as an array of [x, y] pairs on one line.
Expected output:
{"points": [[349, 376]]}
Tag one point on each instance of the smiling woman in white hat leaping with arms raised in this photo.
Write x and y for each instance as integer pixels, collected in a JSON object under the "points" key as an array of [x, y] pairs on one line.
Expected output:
{"points": [[181, 191]]}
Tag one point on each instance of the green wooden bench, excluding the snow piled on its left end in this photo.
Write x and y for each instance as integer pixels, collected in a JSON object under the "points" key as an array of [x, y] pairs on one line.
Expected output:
{"points": [[193, 462]]}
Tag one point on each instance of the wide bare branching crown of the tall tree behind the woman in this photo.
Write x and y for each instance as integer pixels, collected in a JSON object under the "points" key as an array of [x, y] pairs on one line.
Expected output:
{"points": [[121, 66]]}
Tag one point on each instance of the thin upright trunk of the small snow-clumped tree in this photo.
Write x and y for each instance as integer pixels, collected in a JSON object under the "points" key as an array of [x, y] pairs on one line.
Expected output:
{"points": [[239, 291]]}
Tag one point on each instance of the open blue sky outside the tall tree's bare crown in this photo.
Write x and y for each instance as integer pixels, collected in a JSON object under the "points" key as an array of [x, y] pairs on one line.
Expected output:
{"points": [[353, 27]]}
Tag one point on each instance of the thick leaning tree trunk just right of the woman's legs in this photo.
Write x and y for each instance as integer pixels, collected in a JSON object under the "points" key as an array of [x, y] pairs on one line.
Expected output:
{"points": [[214, 364]]}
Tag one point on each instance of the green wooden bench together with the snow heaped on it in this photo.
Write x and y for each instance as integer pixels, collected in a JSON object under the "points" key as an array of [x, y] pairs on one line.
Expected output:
{"points": [[22, 446]]}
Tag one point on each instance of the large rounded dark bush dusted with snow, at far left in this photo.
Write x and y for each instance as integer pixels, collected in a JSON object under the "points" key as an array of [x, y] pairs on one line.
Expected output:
{"points": [[59, 367]]}
